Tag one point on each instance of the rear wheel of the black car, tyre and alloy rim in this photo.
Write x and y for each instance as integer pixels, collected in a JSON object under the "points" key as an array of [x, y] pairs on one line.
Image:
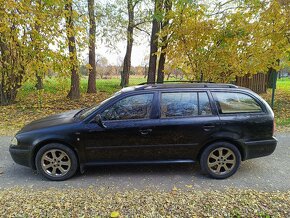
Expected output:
{"points": [[220, 160]]}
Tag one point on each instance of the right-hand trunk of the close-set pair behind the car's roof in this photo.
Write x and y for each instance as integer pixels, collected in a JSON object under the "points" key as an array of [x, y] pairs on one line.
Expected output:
{"points": [[162, 58]]}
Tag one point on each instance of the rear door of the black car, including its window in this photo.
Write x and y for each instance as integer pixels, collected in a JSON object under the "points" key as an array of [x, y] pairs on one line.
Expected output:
{"points": [[187, 120]]}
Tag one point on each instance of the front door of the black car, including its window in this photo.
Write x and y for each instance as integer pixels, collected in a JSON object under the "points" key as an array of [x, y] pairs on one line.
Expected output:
{"points": [[128, 133]]}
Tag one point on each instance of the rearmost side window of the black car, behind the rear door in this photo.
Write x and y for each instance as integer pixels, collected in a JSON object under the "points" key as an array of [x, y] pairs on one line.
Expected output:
{"points": [[231, 102]]}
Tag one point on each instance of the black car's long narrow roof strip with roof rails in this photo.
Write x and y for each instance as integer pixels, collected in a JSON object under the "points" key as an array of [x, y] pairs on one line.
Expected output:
{"points": [[178, 86]]}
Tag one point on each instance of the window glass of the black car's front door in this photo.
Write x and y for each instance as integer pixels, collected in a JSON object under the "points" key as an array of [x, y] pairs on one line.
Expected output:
{"points": [[133, 107]]}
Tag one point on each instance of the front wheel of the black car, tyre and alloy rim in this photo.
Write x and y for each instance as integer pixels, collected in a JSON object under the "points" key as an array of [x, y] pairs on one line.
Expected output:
{"points": [[56, 162]]}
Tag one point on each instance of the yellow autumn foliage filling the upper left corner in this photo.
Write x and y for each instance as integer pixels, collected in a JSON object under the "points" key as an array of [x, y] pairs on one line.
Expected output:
{"points": [[33, 41]]}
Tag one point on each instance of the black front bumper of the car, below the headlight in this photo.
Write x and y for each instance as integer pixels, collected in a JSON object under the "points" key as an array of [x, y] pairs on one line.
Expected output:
{"points": [[20, 155]]}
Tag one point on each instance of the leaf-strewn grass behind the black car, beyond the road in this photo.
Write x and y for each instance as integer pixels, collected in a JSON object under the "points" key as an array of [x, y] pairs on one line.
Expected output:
{"points": [[32, 104]]}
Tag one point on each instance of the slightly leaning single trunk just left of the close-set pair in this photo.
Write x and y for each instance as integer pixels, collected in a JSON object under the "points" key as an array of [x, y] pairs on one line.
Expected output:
{"points": [[127, 60]]}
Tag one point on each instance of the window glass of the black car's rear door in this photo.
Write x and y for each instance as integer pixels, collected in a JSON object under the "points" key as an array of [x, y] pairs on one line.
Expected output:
{"points": [[184, 104]]}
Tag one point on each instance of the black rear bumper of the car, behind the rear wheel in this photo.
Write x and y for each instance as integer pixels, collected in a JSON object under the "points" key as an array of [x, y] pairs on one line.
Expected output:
{"points": [[254, 149]]}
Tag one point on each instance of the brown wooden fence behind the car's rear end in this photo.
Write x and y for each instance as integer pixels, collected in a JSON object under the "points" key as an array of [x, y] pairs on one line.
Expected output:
{"points": [[258, 82]]}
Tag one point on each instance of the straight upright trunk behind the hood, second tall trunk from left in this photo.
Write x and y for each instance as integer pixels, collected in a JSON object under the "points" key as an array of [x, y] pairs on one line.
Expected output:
{"points": [[92, 48]]}
